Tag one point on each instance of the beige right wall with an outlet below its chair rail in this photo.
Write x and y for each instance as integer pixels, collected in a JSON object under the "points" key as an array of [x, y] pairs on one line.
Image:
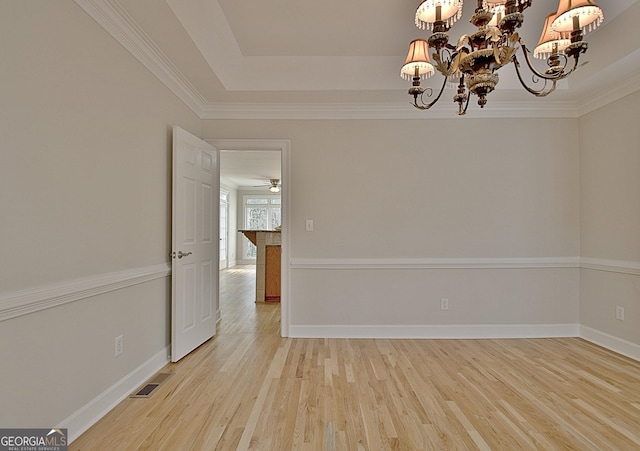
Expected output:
{"points": [[610, 218]]}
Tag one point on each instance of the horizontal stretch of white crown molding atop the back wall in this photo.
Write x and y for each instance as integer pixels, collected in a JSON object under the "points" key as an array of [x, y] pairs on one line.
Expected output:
{"points": [[315, 111]]}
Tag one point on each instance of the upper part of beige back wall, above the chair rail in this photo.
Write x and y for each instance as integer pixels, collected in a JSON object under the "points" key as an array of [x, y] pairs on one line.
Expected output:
{"points": [[369, 185]]}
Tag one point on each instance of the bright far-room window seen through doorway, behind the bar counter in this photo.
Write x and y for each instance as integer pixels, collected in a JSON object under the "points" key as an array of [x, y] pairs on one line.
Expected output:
{"points": [[261, 212]]}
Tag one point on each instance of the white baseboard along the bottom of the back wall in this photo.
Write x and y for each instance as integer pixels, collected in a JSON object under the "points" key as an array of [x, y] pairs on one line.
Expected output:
{"points": [[435, 331]]}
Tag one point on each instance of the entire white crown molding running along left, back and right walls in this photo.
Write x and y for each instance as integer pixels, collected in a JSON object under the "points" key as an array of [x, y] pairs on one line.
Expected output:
{"points": [[111, 16]]}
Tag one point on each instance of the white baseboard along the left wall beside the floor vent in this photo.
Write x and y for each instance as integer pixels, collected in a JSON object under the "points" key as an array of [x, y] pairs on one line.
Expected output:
{"points": [[85, 417]]}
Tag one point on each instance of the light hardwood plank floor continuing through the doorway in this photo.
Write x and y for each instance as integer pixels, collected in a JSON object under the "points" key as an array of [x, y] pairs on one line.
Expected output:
{"points": [[250, 389]]}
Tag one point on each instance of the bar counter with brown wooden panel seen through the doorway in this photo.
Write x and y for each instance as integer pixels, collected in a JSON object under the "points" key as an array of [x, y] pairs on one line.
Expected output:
{"points": [[268, 244]]}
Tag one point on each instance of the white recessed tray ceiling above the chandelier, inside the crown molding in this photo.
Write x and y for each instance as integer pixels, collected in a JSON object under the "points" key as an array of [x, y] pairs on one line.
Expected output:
{"points": [[301, 51]]}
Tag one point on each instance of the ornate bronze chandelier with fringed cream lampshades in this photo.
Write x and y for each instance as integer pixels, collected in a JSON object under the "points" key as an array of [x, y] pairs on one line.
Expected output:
{"points": [[474, 61]]}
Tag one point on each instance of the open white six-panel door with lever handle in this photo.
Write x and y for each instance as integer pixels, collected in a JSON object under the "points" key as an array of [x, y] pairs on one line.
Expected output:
{"points": [[194, 269]]}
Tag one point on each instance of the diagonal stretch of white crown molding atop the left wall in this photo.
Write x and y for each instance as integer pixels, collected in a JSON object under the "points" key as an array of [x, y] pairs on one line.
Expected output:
{"points": [[111, 16]]}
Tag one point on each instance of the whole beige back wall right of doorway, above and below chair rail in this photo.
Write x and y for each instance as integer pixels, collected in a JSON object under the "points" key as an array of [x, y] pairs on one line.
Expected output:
{"points": [[388, 191]]}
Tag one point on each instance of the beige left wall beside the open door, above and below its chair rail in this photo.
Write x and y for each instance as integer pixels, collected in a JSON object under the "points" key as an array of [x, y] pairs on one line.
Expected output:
{"points": [[85, 137]]}
